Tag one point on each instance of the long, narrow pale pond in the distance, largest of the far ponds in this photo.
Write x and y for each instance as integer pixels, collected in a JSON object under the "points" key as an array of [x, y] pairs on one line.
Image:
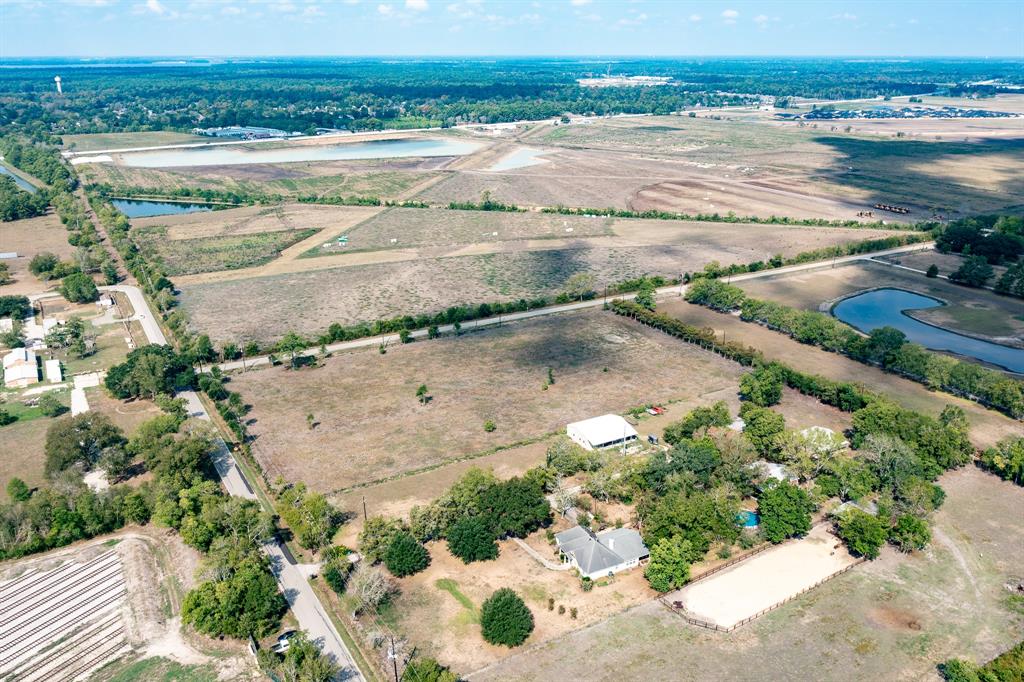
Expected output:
{"points": [[237, 155]]}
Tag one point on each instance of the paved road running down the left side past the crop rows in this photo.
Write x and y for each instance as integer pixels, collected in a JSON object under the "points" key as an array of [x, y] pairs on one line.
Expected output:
{"points": [[304, 602]]}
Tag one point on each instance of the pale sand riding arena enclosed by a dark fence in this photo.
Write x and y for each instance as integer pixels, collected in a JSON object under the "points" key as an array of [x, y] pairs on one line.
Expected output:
{"points": [[770, 579]]}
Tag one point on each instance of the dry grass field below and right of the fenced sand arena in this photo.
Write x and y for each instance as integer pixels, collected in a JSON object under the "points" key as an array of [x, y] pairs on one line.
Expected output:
{"points": [[891, 619]]}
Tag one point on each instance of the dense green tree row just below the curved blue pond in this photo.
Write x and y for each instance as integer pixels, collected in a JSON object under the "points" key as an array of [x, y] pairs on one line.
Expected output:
{"points": [[886, 348]]}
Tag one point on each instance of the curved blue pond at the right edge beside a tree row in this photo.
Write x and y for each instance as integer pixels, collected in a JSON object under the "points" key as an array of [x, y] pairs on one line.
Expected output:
{"points": [[887, 308]]}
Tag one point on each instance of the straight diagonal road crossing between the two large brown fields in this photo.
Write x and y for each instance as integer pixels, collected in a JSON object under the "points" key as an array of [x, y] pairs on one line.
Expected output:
{"points": [[569, 308]]}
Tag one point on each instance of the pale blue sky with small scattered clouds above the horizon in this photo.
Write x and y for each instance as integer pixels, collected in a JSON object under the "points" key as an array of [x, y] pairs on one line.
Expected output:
{"points": [[641, 28]]}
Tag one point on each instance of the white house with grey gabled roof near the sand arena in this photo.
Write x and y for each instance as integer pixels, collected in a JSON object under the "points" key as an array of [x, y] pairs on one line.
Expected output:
{"points": [[603, 555]]}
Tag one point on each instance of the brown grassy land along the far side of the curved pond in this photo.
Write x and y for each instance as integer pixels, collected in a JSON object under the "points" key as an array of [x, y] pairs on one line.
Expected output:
{"points": [[973, 312]]}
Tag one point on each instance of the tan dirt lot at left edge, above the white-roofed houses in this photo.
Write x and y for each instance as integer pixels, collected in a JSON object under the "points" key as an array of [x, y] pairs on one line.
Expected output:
{"points": [[28, 238]]}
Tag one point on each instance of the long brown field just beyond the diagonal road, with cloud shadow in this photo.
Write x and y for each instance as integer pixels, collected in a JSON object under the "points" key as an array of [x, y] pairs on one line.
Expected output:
{"points": [[309, 294]]}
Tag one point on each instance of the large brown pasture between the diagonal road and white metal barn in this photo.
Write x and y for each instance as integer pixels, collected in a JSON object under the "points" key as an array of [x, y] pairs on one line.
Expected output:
{"points": [[370, 425]]}
